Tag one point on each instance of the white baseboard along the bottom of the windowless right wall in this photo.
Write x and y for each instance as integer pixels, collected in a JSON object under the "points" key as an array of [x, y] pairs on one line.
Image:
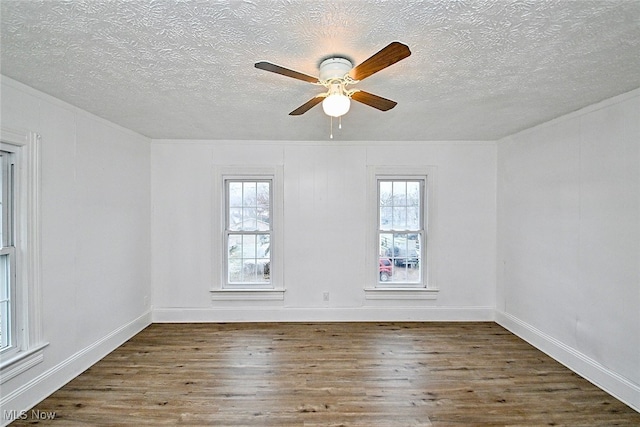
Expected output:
{"points": [[609, 381]]}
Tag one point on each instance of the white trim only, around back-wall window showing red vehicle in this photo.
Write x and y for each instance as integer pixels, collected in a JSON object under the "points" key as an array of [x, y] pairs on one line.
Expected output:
{"points": [[374, 290]]}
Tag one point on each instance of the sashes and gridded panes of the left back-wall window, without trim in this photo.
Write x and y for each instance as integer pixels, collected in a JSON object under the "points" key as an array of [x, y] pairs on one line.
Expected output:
{"points": [[248, 228]]}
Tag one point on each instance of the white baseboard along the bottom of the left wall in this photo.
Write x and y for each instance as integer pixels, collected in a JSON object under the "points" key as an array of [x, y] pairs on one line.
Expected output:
{"points": [[34, 391]]}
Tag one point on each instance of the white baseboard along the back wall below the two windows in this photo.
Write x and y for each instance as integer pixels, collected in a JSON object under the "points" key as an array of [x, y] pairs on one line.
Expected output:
{"points": [[360, 314]]}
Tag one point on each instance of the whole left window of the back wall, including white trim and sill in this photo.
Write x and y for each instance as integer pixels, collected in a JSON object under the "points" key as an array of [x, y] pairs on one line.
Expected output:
{"points": [[247, 243]]}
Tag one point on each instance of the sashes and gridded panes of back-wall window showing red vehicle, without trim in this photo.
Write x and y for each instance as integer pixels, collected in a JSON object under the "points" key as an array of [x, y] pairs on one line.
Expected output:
{"points": [[400, 231]]}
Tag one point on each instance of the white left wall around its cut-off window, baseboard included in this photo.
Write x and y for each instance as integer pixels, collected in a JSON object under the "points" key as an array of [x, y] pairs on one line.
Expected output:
{"points": [[95, 239]]}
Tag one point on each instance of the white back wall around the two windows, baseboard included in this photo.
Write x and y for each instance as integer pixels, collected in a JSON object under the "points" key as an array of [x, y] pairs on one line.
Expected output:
{"points": [[325, 217]]}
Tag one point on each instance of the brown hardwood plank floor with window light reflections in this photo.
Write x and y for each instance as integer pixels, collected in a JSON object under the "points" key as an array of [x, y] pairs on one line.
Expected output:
{"points": [[330, 374]]}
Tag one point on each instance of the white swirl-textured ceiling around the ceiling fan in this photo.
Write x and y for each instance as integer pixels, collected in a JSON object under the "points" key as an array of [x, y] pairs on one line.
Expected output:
{"points": [[479, 70]]}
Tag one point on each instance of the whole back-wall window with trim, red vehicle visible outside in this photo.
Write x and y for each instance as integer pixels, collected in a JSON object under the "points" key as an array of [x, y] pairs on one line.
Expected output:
{"points": [[401, 237]]}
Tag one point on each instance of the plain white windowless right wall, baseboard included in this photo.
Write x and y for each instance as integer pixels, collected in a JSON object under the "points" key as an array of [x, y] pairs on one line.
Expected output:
{"points": [[569, 241]]}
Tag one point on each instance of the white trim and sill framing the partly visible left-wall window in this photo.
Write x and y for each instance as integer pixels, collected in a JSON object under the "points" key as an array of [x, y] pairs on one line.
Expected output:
{"points": [[28, 300]]}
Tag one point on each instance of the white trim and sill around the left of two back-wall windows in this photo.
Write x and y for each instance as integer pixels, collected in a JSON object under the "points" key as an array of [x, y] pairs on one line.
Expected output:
{"points": [[220, 291]]}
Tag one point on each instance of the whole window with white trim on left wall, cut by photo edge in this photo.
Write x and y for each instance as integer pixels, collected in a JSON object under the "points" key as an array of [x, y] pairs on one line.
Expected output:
{"points": [[21, 345]]}
